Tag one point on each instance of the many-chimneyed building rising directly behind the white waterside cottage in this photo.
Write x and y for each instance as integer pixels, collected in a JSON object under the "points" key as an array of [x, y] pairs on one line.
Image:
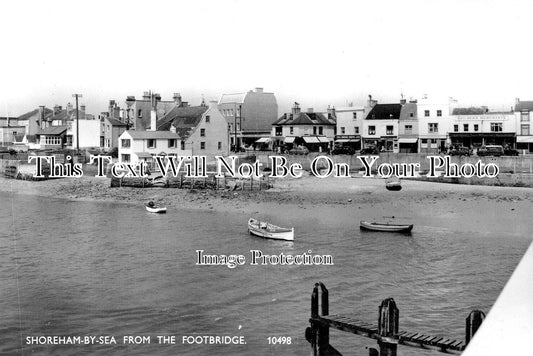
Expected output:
{"points": [[137, 112]]}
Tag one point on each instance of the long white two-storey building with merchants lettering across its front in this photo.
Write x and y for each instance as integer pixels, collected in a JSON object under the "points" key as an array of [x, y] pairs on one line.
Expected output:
{"points": [[475, 127]]}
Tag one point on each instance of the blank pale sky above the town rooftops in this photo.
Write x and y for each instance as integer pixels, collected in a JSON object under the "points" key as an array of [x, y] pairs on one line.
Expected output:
{"points": [[317, 53]]}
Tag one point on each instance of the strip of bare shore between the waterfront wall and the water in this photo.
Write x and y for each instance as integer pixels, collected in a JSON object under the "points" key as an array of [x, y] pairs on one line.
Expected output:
{"points": [[486, 208]]}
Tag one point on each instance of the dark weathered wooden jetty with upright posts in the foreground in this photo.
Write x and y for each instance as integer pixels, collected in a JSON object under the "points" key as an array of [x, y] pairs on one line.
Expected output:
{"points": [[386, 331]]}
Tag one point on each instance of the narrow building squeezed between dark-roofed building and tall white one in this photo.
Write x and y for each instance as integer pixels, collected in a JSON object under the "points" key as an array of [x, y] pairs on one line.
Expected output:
{"points": [[408, 127]]}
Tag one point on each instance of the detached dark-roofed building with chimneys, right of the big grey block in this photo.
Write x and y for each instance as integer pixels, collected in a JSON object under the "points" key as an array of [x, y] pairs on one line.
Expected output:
{"points": [[313, 130]]}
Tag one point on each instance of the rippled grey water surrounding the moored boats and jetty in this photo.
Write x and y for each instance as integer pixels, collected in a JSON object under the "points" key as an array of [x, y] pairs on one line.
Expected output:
{"points": [[82, 268]]}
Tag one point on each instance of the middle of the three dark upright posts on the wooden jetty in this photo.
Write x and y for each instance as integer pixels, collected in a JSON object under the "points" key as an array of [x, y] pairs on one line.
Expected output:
{"points": [[388, 327]]}
